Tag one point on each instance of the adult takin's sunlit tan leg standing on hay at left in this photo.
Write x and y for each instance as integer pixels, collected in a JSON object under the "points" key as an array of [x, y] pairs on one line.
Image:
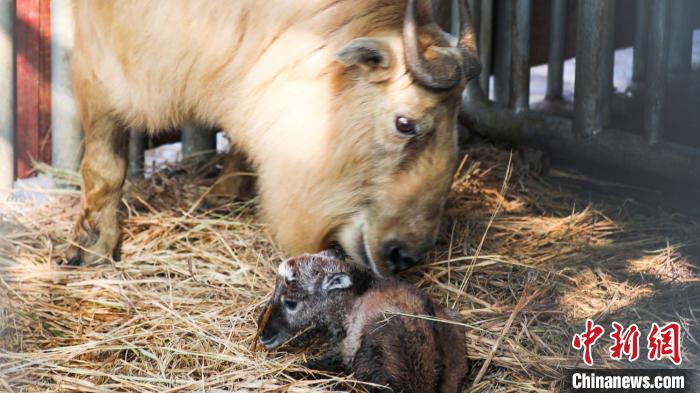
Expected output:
{"points": [[103, 170]]}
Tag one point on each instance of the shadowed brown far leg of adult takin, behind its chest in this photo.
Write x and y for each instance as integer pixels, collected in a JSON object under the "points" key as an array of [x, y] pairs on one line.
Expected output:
{"points": [[235, 182]]}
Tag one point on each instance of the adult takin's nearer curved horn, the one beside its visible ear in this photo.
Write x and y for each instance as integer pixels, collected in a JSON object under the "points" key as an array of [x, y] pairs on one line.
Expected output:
{"points": [[440, 74]]}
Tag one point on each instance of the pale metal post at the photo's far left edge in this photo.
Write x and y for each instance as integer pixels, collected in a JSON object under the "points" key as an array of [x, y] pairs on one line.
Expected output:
{"points": [[7, 102]]}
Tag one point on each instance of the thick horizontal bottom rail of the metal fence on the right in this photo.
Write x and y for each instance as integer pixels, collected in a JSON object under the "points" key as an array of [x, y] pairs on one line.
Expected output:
{"points": [[612, 149]]}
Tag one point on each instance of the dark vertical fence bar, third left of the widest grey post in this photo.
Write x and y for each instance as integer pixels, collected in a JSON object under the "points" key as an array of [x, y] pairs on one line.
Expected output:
{"points": [[501, 61]]}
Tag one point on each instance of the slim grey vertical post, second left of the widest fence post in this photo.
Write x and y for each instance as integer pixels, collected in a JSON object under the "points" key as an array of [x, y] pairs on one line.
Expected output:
{"points": [[520, 56]]}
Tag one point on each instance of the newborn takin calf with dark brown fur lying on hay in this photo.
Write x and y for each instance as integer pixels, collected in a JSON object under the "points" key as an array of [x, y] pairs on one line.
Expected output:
{"points": [[382, 330]]}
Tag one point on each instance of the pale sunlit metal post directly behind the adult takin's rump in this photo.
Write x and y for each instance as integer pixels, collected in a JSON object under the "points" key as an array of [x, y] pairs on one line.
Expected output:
{"points": [[66, 134]]}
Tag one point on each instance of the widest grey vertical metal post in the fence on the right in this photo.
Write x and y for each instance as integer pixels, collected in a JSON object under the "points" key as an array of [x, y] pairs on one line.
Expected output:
{"points": [[594, 62]]}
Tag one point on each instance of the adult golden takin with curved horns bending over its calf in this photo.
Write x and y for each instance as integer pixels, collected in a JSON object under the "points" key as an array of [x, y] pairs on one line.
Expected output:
{"points": [[345, 109]]}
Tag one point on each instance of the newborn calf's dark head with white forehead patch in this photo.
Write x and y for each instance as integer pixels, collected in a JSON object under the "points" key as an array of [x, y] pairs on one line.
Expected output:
{"points": [[310, 290]]}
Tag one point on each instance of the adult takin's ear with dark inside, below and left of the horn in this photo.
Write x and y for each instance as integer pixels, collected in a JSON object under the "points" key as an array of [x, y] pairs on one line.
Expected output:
{"points": [[373, 55]]}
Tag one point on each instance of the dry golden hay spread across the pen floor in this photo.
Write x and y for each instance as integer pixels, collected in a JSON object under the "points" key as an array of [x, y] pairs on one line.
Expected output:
{"points": [[523, 261]]}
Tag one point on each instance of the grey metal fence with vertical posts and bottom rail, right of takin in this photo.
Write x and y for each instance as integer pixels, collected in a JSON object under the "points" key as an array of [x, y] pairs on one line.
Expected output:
{"points": [[632, 132]]}
